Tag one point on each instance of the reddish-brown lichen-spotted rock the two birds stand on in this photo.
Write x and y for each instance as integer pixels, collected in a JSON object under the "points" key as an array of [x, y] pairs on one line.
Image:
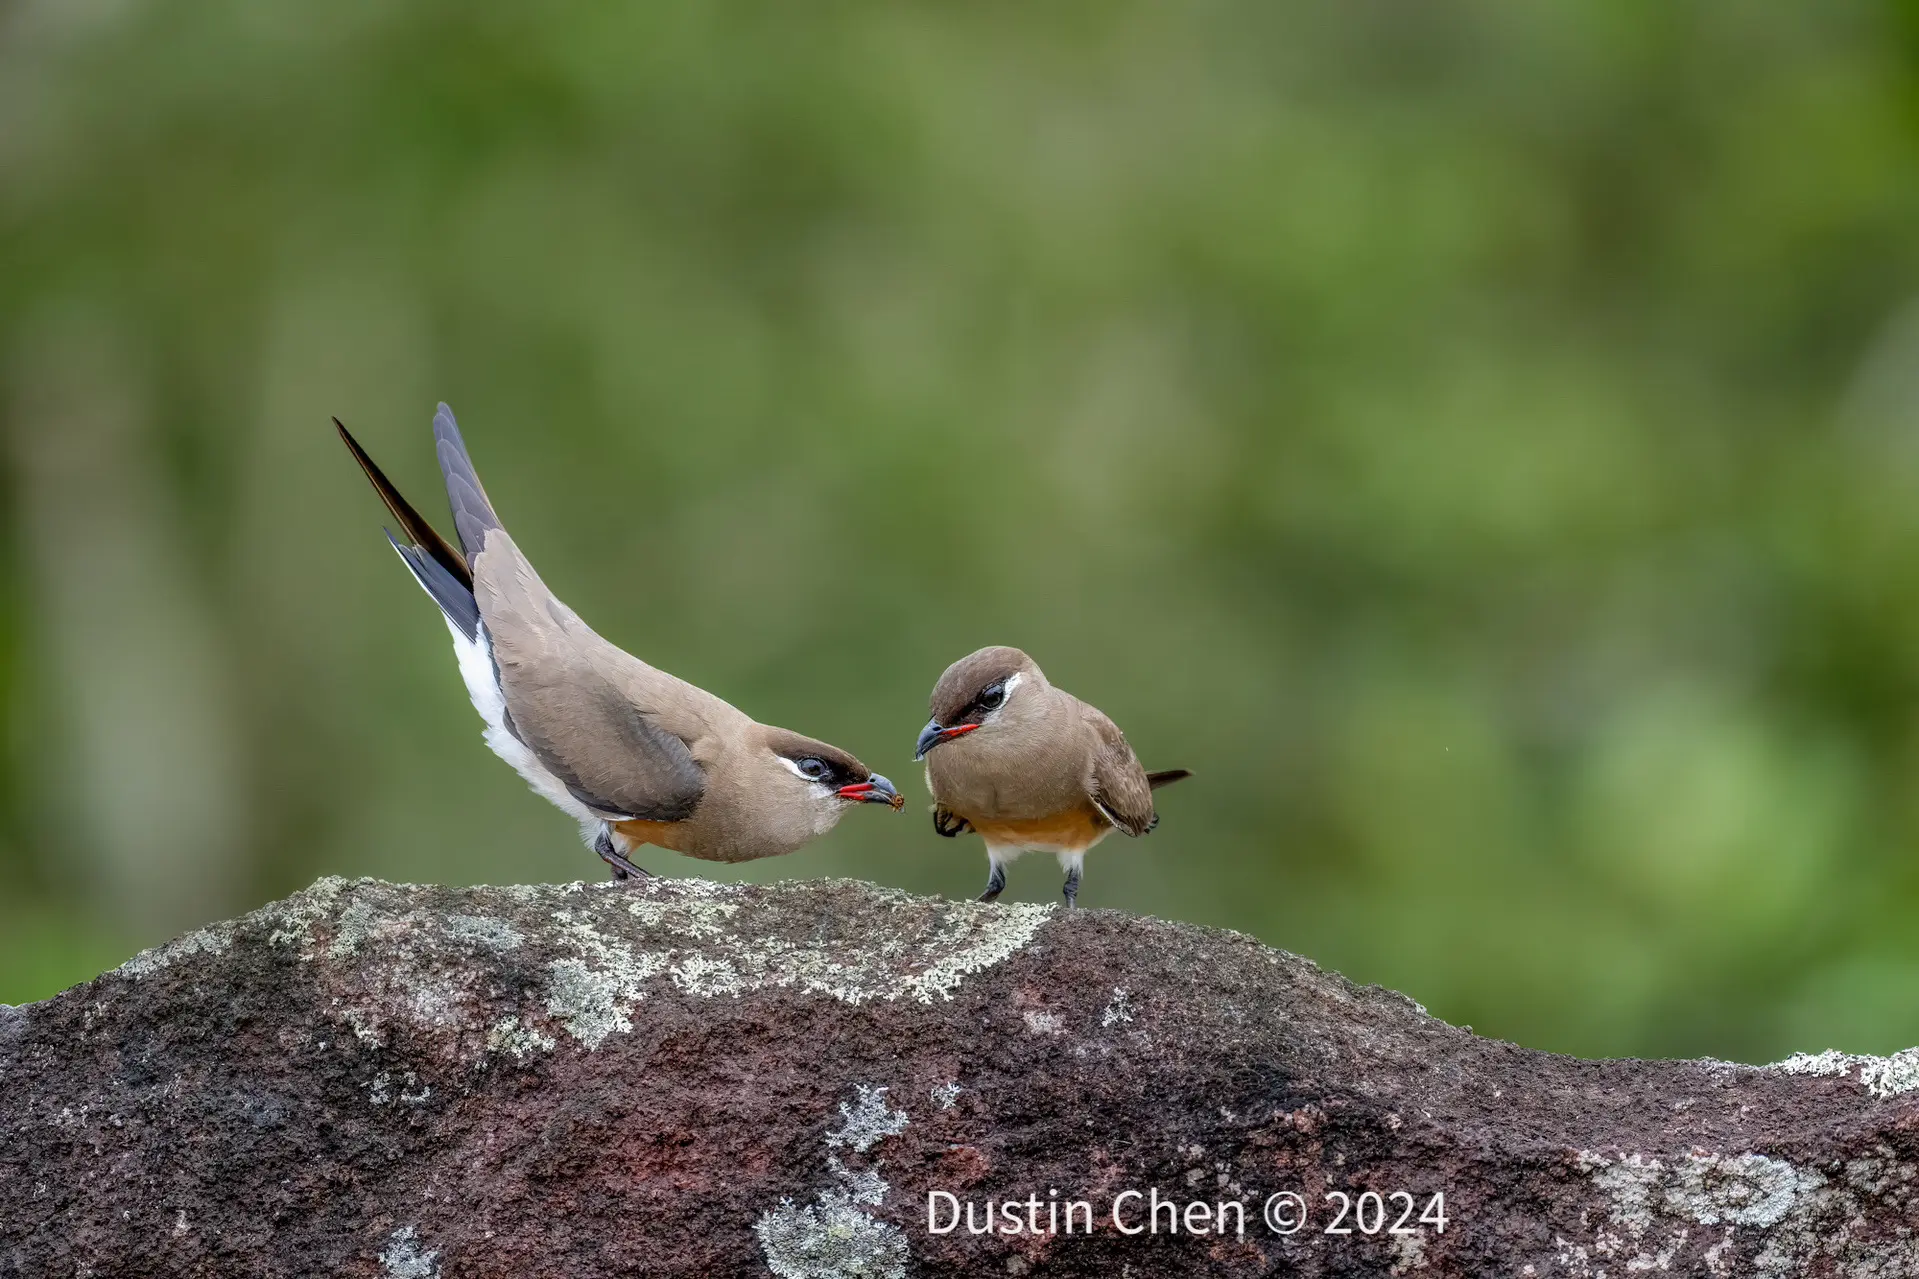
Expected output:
{"points": [[686, 1078]]}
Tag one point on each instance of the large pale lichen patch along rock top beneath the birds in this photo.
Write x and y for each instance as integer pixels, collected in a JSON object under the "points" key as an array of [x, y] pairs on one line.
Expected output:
{"points": [[613, 944]]}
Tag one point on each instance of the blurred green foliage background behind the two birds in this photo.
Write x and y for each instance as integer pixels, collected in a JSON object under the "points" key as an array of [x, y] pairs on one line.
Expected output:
{"points": [[1482, 441]]}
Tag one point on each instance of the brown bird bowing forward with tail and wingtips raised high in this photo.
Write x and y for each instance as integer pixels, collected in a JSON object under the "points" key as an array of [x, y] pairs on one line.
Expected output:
{"points": [[628, 752]]}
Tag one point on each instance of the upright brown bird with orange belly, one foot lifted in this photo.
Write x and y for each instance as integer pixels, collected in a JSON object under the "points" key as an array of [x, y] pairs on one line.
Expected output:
{"points": [[1030, 767]]}
